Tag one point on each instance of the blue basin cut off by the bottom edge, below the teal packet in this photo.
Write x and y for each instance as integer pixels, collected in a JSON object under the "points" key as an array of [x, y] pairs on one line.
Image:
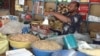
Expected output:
{"points": [[67, 53]]}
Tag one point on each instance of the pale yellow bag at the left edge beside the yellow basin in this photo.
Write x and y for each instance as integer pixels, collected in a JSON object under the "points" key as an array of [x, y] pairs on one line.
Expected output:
{"points": [[4, 46]]}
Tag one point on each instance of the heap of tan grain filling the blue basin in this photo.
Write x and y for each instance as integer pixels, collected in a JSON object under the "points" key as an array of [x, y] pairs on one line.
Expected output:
{"points": [[46, 45]]}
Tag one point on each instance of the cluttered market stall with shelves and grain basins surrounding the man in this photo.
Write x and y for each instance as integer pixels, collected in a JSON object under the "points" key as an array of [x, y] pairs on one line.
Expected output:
{"points": [[31, 33]]}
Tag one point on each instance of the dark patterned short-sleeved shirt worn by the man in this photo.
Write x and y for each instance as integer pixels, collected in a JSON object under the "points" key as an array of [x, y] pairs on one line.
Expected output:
{"points": [[74, 25]]}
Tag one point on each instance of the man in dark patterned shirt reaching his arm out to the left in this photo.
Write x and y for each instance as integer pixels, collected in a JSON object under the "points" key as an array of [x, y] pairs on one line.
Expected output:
{"points": [[71, 19]]}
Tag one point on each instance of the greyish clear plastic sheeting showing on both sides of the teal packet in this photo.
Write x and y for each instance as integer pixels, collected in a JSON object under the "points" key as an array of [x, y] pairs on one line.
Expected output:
{"points": [[78, 36]]}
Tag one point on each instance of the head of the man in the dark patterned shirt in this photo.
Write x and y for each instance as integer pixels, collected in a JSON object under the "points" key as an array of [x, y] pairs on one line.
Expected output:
{"points": [[73, 6]]}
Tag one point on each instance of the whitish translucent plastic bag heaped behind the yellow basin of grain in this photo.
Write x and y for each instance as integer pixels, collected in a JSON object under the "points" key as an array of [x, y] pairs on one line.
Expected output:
{"points": [[12, 27]]}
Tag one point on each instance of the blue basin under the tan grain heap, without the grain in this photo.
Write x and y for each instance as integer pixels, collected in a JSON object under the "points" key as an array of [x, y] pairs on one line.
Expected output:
{"points": [[38, 52]]}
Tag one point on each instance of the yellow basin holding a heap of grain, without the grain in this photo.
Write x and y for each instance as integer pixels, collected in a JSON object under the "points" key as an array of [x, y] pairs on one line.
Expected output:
{"points": [[17, 44]]}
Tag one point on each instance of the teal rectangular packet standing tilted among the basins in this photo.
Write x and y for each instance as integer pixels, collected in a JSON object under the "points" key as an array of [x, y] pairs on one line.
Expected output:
{"points": [[70, 42]]}
